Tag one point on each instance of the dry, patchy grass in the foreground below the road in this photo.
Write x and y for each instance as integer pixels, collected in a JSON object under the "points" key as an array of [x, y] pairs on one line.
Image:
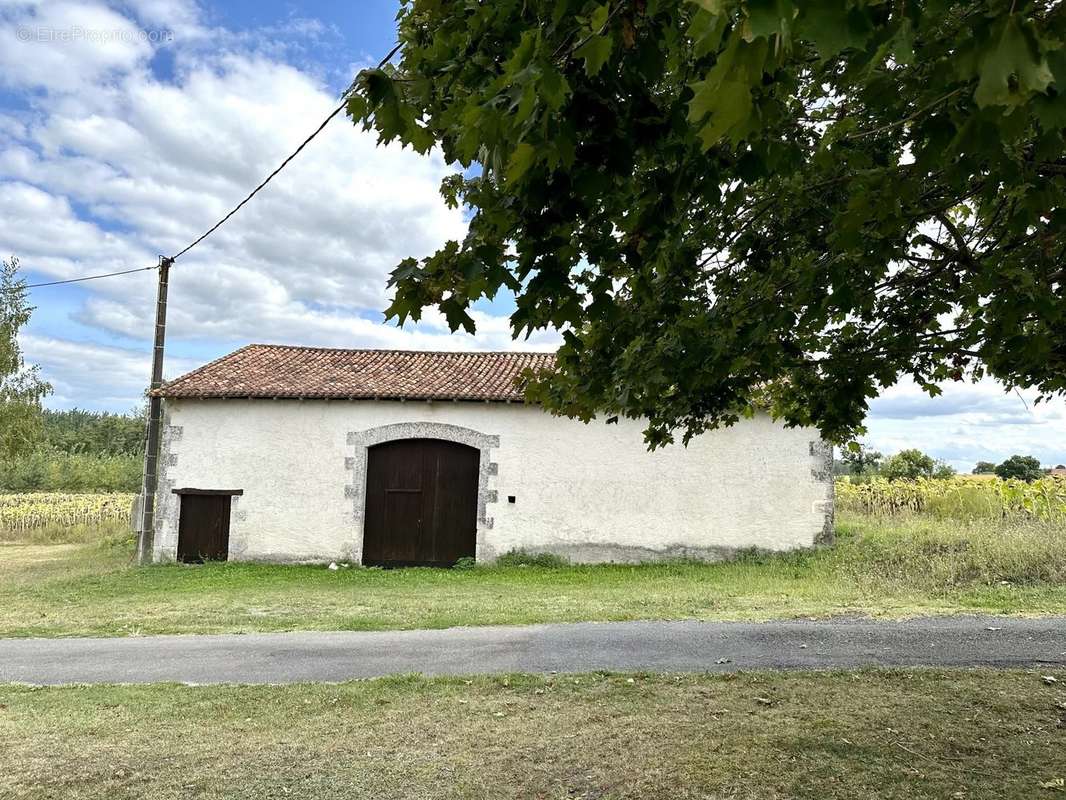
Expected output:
{"points": [[895, 735]]}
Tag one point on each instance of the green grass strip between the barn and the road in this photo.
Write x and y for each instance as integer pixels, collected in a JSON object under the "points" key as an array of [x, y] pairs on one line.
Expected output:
{"points": [[886, 567]]}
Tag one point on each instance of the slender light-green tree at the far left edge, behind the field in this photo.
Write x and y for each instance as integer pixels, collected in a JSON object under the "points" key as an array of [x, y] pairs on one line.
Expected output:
{"points": [[22, 389]]}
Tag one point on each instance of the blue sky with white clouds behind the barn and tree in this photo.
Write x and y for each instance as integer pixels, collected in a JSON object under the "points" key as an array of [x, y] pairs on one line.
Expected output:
{"points": [[127, 129]]}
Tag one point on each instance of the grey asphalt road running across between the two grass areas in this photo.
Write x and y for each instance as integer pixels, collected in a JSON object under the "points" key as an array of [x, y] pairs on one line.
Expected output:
{"points": [[674, 647]]}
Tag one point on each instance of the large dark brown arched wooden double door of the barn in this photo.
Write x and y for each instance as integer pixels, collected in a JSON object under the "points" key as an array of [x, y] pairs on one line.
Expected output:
{"points": [[422, 504]]}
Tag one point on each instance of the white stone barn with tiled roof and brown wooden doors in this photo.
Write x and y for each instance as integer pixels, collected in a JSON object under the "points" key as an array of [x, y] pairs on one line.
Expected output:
{"points": [[292, 454]]}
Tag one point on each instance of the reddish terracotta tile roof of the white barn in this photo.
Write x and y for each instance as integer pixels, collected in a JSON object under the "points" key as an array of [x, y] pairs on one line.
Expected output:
{"points": [[282, 372]]}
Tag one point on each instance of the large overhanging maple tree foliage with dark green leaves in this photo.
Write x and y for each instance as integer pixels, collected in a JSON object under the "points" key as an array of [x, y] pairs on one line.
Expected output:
{"points": [[723, 203]]}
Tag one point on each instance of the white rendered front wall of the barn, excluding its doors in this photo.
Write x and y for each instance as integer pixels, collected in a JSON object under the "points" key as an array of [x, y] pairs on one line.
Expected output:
{"points": [[590, 492]]}
